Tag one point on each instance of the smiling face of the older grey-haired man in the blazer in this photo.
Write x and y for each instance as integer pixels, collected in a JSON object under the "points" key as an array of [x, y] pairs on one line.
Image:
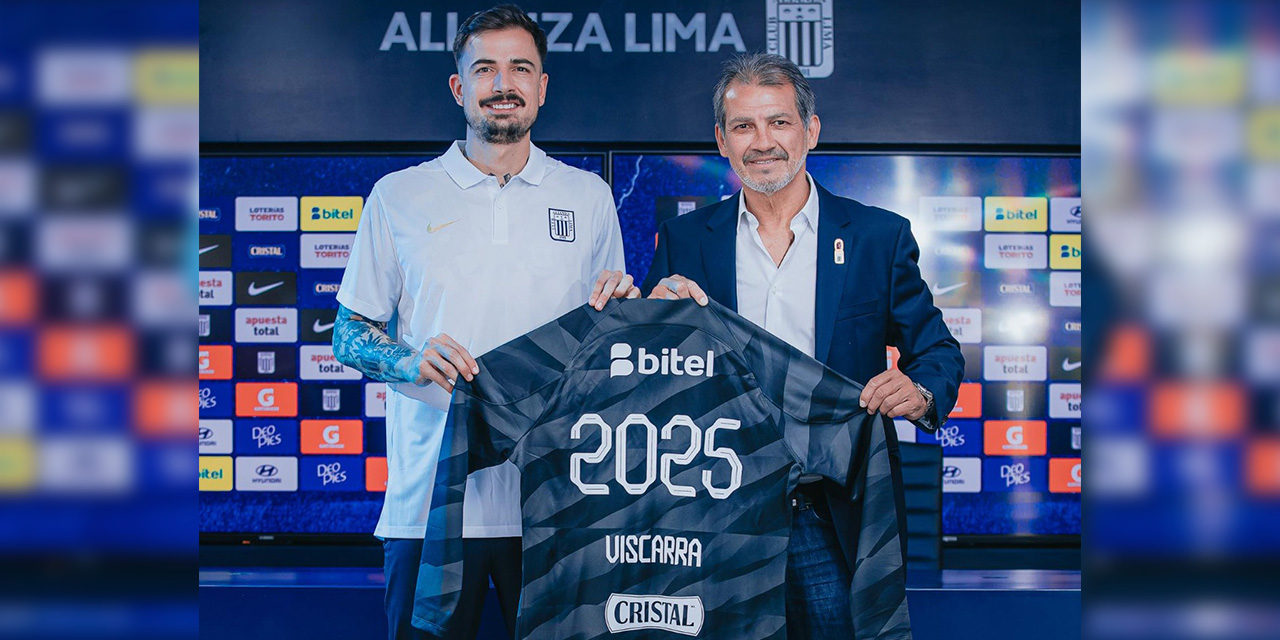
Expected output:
{"points": [[764, 136]]}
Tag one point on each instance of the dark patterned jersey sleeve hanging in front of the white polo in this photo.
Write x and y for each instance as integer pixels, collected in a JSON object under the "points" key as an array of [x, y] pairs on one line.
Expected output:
{"points": [[488, 417]]}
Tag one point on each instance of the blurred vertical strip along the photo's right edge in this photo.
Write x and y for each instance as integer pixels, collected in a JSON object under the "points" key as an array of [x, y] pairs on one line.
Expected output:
{"points": [[1181, 109]]}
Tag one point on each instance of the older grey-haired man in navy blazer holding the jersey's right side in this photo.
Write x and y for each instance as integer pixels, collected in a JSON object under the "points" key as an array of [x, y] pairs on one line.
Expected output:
{"points": [[830, 276]]}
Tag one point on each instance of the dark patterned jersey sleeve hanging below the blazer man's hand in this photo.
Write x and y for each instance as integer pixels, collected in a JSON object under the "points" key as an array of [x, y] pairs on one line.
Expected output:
{"points": [[831, 436]]}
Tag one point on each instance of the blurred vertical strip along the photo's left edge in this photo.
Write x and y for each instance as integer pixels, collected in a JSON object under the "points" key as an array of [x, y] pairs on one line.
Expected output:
{"points": [[99, 134]]}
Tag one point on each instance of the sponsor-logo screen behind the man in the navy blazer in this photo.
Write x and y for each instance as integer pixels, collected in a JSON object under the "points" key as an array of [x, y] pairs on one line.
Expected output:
{"points": [[1000, 250]]}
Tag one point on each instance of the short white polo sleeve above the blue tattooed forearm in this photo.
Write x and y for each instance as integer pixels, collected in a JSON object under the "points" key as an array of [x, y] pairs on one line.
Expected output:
{"points": [[372, 284]]}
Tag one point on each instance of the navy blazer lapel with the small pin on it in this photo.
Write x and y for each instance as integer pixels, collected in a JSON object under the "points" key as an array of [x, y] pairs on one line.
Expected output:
{"points": [[833, 221]]}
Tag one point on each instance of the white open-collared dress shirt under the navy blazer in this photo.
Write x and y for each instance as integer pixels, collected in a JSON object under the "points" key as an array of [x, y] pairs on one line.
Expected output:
{"points": [[780, 299]]}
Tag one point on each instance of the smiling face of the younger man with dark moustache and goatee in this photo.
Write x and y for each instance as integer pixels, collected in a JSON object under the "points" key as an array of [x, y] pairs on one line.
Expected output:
{"points": [[500, 85]]}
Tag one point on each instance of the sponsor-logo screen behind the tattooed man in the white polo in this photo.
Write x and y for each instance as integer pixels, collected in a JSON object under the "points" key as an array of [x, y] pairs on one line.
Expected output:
{"points": [[291, 441]]}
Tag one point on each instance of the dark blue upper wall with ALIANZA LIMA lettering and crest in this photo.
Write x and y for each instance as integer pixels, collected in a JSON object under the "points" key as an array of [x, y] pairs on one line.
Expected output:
{"points": [[907, 72]]}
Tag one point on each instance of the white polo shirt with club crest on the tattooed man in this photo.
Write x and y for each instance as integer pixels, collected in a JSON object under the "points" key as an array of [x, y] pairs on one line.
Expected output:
{"points": [[444, 249]]}
